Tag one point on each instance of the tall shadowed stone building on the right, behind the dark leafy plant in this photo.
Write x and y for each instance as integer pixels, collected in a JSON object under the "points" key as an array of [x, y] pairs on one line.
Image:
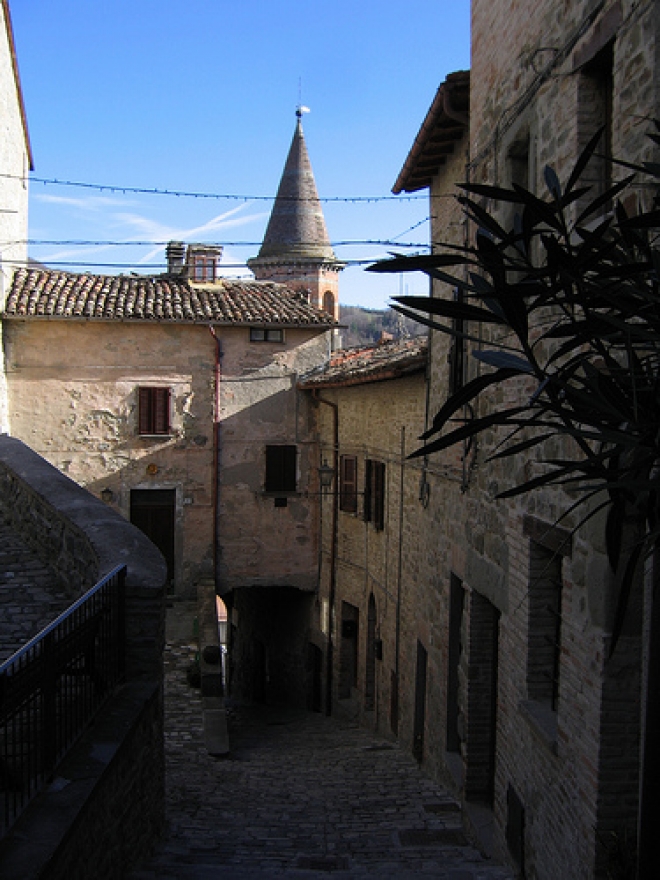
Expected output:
{"points": [[531, 717]]}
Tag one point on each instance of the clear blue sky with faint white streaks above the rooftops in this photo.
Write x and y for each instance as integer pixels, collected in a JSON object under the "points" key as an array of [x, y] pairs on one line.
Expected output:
{"points": [[200, 97]]}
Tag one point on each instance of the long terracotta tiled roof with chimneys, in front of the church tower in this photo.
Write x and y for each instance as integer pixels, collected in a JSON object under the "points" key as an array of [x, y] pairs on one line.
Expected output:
{"points": [[39, 293]]}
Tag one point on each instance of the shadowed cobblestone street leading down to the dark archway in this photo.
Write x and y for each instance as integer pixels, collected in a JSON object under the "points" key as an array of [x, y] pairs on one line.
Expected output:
{"points": [[300, 795]]}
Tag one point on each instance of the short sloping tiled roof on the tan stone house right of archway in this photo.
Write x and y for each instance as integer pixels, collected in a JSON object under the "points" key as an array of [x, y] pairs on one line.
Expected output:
{"points": [[376, 363]]}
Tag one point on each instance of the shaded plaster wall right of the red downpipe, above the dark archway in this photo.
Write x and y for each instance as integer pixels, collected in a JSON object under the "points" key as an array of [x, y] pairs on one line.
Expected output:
{"points": [[263, 544]]}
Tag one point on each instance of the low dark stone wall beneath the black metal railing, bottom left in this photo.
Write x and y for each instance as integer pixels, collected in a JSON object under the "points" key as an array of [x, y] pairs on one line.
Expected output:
{"points": [[106, 809]]}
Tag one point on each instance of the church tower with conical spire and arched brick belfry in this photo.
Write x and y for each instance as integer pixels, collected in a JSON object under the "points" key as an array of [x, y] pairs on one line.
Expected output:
{"points": [[296, 249]]}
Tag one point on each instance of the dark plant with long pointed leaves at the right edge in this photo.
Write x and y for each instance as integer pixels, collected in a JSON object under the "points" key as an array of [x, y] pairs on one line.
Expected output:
{"points": [[572, 307]]}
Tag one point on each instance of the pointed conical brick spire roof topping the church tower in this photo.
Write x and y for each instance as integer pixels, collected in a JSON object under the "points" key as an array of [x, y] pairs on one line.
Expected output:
{"points": [[296, 229]]}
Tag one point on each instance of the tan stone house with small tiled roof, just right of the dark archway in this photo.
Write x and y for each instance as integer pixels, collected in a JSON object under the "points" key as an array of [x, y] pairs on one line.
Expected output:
{"points": [[368, 613]]}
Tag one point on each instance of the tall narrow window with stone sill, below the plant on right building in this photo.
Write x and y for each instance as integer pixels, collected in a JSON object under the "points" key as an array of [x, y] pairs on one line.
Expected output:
{"points": [[543, 650]]}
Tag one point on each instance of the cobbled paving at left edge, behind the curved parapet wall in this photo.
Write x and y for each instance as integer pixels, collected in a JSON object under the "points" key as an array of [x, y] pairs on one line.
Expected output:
{"points": [[29, 595]]}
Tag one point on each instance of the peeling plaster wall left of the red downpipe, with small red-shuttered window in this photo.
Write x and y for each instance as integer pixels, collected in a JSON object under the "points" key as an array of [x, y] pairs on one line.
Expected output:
{"points": [[73, 397]]}
